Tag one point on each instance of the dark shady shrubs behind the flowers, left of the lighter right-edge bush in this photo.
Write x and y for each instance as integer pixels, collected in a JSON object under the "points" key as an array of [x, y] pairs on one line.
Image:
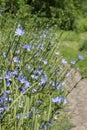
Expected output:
{"points": [[63, 12]]}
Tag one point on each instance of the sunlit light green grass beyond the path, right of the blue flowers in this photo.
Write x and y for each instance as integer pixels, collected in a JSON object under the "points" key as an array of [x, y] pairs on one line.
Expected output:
{"points": [[70, 43]]}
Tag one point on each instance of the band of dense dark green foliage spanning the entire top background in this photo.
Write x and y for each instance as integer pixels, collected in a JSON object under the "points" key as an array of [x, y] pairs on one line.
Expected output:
{"points": [[63, 13]]}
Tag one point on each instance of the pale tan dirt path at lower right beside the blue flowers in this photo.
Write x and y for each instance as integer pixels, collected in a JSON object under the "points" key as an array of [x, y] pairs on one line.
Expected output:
{"points": [[78, 105]]}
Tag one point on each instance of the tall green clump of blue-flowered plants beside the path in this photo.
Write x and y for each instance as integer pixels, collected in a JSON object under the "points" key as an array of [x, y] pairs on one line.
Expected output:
{"points": [[32, 74]]}
